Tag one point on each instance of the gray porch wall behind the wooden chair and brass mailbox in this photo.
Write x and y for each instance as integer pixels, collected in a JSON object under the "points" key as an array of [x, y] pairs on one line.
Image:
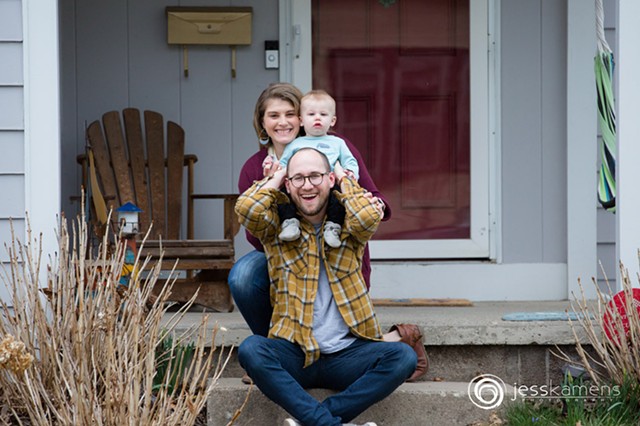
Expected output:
{"points": [[128, 63]]}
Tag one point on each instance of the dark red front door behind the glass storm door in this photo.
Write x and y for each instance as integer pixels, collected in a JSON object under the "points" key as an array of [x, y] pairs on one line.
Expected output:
{"points": [[400, 76]]}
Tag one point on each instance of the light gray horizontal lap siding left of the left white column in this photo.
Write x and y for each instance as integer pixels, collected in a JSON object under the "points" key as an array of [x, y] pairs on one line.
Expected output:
{"points": [[12, 180]]}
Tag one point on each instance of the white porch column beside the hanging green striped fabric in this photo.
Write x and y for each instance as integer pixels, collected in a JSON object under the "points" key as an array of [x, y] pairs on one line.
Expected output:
{"points": [[581, 147]]}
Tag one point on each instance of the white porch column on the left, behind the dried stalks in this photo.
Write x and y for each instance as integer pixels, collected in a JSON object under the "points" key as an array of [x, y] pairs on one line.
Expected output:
{"points": [[42, 121]]}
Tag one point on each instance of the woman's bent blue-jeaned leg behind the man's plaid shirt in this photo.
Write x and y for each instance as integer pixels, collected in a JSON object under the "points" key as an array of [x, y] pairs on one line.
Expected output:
{"points": [[249, 284]]}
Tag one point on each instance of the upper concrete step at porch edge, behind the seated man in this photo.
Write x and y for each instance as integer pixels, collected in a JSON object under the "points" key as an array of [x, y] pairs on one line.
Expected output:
{"points": [[462, 342]]}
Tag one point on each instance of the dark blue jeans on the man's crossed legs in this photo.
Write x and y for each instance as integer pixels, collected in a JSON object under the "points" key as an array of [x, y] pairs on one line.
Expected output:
{"points": [[363, 373]]}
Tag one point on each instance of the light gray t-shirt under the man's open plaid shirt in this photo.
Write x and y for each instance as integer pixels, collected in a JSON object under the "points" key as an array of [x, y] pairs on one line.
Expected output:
{"points": [[329, 329]]}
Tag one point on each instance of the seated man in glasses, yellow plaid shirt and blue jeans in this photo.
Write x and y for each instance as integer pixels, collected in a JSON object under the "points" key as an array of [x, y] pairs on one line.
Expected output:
{"points": [[324, 332]]}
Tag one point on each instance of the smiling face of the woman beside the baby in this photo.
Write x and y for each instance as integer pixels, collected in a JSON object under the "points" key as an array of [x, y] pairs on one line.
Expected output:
{"points": [[281, 122]]}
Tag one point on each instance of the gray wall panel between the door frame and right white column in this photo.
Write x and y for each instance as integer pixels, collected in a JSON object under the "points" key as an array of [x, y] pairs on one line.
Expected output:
{"points": [[533, 86]]}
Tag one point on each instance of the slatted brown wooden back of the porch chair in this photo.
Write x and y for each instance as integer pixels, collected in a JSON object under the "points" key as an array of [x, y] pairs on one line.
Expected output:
{"points": [[152, 182]]}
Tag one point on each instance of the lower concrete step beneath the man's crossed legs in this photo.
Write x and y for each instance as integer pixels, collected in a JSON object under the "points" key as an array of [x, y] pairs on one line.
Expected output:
{"points": [[412, 404]]}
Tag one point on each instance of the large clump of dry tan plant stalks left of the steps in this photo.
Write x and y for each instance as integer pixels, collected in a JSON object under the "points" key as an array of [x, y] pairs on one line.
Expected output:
{"points": [[85, 352]]}
